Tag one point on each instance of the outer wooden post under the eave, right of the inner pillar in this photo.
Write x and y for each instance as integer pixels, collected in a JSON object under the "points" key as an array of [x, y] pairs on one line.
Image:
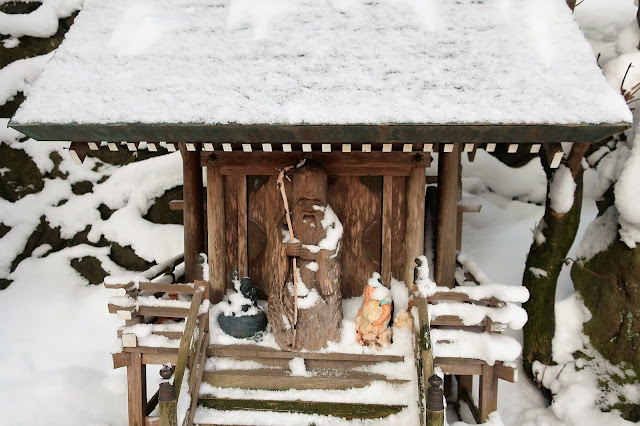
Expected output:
{"points": [[445, 262]]}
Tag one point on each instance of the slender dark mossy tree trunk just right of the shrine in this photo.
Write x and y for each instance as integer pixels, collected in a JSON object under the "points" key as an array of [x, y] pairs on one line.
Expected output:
{"points": [[549, 256]]}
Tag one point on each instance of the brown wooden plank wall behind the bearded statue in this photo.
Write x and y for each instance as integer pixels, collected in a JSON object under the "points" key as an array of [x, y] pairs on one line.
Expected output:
{"points": [[358, 202]]}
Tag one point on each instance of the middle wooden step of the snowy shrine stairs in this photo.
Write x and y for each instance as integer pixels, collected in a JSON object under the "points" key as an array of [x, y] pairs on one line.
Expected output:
{"points": [[281, 379]]}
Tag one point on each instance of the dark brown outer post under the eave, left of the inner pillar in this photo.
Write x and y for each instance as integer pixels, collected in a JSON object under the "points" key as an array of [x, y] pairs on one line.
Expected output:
{"points": [[193, 213]]}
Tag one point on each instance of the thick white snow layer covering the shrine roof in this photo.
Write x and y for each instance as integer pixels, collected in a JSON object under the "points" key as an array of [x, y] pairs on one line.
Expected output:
{"points": [[323, 62]]}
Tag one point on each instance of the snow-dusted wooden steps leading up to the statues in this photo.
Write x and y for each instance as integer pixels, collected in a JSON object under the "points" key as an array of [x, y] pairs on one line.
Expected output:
{"points": [[324, 371]]}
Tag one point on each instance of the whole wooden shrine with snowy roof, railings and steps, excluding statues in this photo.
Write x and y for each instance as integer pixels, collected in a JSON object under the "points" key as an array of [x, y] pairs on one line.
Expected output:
{"points": [[369, 91]]}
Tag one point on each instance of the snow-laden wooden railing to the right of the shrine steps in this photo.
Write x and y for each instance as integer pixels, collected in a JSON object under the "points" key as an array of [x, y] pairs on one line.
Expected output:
{"points": [[465, 326]]}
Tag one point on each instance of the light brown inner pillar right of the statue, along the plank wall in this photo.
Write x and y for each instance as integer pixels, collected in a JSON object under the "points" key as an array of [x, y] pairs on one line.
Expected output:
{"points": [[414, 234]]}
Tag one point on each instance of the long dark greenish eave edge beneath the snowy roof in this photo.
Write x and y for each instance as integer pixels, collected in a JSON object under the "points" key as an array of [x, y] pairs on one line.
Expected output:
{"points": [[348, 133]]}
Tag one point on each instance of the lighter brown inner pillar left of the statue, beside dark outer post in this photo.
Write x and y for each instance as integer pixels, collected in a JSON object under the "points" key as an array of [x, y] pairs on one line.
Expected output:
{"points": [[216, 227]]}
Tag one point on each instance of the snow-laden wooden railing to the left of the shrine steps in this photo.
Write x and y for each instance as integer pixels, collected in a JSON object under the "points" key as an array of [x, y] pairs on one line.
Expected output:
{"points": [[165, 323]]}
